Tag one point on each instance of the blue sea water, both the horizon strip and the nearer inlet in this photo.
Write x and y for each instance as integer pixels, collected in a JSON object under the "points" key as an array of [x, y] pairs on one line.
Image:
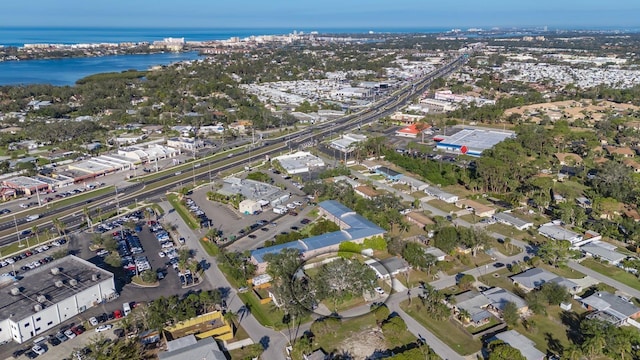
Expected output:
{"points": [[68, 71]]}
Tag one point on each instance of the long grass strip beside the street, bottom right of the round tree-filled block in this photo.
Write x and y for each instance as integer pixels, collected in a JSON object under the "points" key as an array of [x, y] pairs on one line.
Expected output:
{"points": [[450, 334]]}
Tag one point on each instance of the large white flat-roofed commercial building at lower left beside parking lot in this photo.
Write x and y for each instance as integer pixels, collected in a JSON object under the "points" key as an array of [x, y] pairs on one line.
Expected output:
{"points": [[49, 295]]}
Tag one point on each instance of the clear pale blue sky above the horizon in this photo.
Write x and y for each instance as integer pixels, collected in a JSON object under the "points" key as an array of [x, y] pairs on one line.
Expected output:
{"points": [[372, 14]]}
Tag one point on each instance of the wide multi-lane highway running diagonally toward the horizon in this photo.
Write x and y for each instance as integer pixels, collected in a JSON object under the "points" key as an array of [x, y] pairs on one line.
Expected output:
{"points": [[146, 189]]}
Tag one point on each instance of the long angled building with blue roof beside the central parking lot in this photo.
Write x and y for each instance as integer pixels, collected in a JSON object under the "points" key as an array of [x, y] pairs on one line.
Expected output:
{"points": [[353, 227]]}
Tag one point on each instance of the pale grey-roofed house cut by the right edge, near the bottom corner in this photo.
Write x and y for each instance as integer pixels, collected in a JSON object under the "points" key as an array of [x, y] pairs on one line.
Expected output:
{"points": [[611, 308]]}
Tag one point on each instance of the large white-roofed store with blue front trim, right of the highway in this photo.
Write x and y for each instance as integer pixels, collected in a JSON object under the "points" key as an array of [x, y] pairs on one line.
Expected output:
{"points": [[471, 141]]}
